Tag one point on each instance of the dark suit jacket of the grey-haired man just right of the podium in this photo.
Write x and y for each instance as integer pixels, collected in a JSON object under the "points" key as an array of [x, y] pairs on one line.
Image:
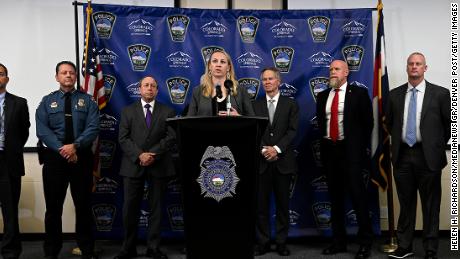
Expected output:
{"points": [[281, 132]]}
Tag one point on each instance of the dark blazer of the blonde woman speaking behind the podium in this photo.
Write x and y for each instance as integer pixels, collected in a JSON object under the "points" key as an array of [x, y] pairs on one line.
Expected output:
{"points": [[202, 106]]}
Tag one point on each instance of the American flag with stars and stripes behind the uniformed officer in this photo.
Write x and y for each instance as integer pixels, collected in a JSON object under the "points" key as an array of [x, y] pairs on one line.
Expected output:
{"points": [[93, 81]]}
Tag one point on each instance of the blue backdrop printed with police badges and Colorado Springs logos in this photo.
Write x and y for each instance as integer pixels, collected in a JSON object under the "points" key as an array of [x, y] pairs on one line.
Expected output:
{"points": [[172, 44]]}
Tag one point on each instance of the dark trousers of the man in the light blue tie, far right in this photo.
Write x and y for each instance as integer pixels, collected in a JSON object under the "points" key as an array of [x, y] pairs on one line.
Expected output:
{"points": [[411, 173]]}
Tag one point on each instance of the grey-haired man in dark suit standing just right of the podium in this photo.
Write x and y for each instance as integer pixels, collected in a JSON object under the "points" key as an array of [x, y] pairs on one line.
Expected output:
{"points": [[278, 163]]}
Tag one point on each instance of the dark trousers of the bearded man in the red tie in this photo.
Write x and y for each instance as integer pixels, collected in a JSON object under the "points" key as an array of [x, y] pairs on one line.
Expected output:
{"points": [[346, 177]]}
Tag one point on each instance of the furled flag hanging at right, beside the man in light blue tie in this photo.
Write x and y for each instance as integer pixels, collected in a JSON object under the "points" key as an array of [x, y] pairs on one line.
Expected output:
{"points": [[380, 145]]}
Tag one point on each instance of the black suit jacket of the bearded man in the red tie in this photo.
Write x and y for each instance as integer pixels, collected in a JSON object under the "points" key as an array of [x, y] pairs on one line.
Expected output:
{"points": [[357, 121]]}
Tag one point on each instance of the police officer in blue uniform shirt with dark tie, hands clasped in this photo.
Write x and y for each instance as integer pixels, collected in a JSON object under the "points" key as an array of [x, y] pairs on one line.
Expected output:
{"points": [[67, 124]]}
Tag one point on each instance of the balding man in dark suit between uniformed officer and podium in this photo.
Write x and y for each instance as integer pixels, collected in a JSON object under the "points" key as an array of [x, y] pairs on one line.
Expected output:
{"points": [[145, 140]]}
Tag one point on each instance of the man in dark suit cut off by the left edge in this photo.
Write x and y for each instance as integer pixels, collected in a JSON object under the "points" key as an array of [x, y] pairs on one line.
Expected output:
{"points": [[14, 131]]}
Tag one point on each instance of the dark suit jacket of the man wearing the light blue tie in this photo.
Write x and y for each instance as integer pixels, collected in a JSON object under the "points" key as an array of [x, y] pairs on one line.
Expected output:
{"points": [[434, 123]]}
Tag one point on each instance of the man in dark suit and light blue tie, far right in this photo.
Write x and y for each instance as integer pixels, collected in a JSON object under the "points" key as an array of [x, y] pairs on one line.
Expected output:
{"points": [[418, 119]]}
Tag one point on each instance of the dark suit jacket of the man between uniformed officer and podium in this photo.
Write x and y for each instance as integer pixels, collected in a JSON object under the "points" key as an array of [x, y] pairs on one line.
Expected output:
{"points": [[135, 138]]}
